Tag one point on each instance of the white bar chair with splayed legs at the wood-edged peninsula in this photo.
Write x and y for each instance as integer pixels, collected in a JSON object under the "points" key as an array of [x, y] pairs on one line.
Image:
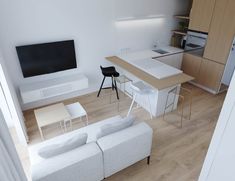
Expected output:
{"points": [[139, 88]]}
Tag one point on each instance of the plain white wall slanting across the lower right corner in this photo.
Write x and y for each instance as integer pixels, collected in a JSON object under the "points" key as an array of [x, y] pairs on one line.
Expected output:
{"points": [[220, 160]]}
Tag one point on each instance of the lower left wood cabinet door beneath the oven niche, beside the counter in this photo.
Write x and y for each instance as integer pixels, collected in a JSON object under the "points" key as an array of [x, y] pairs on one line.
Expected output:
{"points": [[191, 65]]}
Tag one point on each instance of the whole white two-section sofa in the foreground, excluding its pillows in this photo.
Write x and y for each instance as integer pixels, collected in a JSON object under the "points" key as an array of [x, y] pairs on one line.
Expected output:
{"points": [[97, 159]]}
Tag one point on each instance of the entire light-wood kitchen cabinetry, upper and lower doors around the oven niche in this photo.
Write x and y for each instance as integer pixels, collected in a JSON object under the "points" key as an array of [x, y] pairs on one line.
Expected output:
{"points": [[217, 17]]}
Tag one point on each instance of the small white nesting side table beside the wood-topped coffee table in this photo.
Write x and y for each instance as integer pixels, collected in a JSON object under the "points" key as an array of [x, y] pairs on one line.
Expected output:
{"points": [[76, 111]]}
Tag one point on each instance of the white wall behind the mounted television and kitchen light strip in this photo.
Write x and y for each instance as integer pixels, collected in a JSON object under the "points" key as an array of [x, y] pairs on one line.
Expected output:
{"points": [[90, 23]]}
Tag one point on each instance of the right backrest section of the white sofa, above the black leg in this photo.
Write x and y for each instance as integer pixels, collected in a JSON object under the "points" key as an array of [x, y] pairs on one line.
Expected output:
{"points": [[126, 147]]}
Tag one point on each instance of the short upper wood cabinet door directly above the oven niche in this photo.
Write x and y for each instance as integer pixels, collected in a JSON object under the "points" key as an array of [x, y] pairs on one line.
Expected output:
{"points": [[201, 15]]}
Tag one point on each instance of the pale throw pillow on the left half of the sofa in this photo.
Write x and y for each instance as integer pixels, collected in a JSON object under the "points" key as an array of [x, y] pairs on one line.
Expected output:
{"points": [[63, 146]]}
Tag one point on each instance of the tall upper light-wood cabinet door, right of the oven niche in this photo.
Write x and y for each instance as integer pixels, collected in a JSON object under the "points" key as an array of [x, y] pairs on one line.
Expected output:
{"points": [[222, 31]]}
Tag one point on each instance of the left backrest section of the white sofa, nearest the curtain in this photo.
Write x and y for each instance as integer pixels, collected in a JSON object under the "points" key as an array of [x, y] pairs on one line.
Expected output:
{"points": [[84, 164]]}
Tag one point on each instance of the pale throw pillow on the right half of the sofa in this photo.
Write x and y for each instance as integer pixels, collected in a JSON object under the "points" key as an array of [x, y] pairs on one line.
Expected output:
{"points": [[115, 127]]}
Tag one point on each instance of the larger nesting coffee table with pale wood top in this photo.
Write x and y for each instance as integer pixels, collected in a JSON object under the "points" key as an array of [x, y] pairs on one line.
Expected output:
{"points": [[45, 116]]}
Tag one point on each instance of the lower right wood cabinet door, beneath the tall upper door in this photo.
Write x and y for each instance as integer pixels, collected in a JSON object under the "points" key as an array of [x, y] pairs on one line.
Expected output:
{"points": [[210, 74]]}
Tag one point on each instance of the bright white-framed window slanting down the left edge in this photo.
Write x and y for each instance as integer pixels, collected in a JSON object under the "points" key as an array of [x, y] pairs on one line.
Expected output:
{"points": [[13, 115]]}
